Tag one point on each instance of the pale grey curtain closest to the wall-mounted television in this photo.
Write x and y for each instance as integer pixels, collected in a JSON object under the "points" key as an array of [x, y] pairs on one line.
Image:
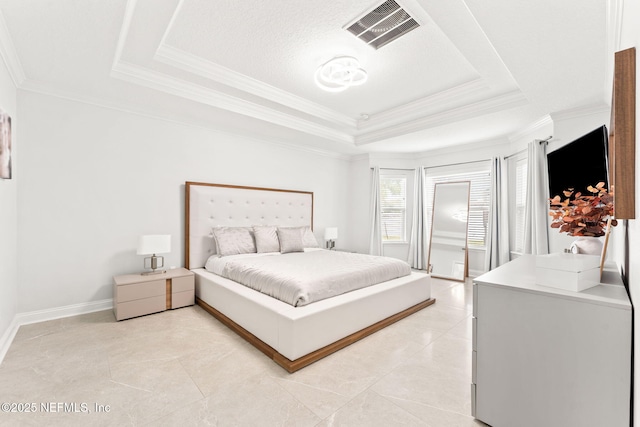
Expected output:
{"points": [[536, 231]]}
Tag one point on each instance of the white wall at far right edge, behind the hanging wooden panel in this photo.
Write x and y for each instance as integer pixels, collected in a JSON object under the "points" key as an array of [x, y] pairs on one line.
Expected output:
{"points": [[630, 37]]}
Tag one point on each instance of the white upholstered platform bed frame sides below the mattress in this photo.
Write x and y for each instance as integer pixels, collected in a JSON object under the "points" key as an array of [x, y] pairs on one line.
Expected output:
{"points": [[297, 331]]}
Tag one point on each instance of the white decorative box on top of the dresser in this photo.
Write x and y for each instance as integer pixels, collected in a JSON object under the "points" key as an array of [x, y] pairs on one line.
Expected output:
{"points": [[571, 272]]}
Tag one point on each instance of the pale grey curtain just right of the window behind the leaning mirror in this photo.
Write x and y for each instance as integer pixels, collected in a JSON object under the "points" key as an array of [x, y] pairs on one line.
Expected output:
{"points": [[497, 252]]}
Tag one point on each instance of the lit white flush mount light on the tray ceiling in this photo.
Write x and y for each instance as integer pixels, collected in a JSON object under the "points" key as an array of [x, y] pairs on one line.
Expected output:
{"points": [[340, 74]]}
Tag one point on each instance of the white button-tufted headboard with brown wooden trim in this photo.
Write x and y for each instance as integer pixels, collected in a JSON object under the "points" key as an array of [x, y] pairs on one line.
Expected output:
{"points": [[215, 205]]}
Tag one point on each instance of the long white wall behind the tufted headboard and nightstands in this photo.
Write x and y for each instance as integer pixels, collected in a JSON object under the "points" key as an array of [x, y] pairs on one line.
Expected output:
{"points": [[94, 179]]}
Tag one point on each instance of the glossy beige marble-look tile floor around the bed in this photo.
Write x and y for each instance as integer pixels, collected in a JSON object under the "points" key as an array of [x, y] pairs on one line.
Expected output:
{"points": [[183, 368]]}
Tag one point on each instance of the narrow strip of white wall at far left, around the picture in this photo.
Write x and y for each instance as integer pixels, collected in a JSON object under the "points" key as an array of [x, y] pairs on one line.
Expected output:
{"points": [[9, 217]]}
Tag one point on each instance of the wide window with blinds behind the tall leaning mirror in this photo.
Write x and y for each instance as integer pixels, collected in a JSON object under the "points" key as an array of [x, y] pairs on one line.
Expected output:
{"points": [[479, 199]]}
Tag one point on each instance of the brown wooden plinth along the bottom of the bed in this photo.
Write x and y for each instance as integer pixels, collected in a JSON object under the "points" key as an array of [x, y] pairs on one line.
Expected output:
{"points": [[294, 365]]}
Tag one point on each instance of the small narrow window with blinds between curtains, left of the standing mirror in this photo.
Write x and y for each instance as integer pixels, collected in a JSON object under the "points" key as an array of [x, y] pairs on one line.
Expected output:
{"points": [[393, 205]]}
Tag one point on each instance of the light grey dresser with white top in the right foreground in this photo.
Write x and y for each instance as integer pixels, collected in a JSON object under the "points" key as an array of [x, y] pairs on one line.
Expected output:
{"points": [[549, 357]]}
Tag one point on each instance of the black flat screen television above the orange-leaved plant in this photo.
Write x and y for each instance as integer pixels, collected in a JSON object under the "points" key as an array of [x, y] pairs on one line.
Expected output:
{"points": [[580, 163]]}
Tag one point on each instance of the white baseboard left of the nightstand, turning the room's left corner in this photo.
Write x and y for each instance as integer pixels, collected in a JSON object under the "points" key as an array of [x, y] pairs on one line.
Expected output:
{"points": [[49, 314]]}
